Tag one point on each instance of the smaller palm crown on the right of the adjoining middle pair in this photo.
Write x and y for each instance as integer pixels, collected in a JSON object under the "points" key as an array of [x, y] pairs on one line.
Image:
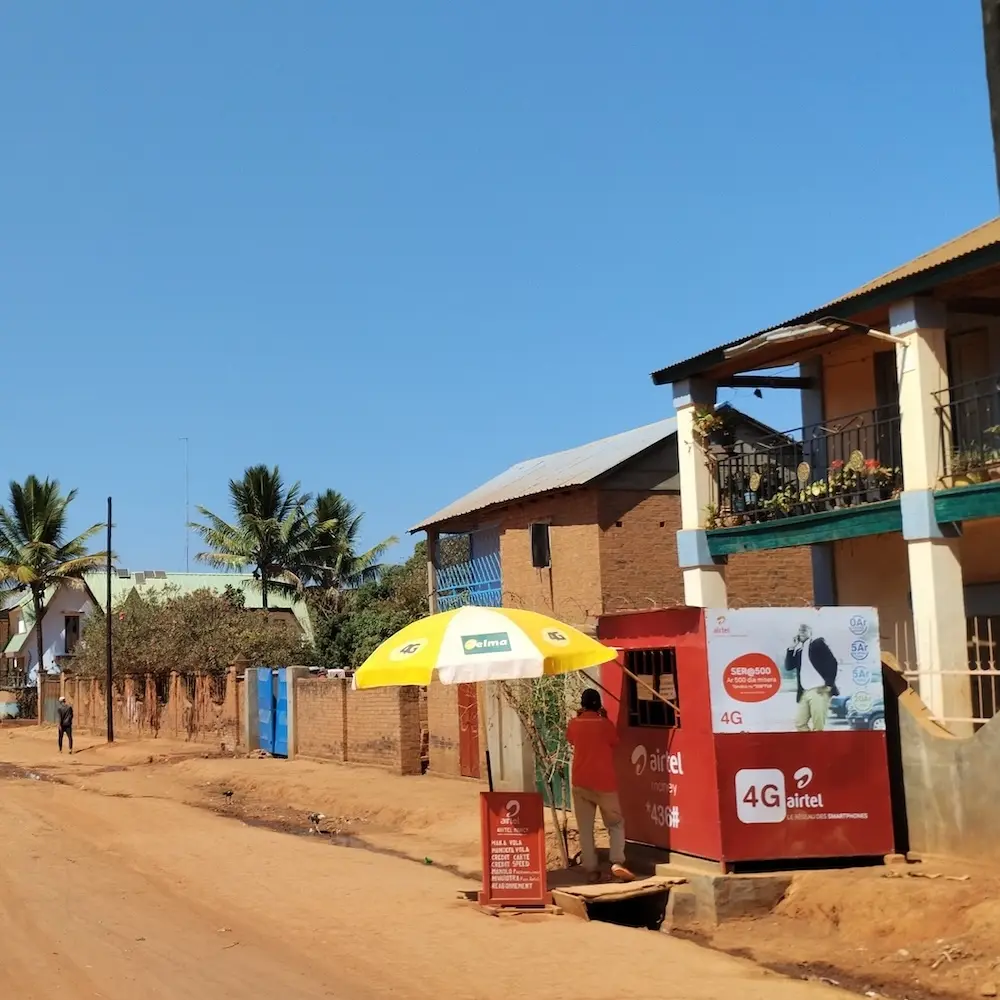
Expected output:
{"points": [[335, 561]]}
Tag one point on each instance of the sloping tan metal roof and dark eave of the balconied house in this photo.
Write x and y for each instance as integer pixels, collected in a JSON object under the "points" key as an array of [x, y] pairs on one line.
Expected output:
{"points": [[970, 251]]}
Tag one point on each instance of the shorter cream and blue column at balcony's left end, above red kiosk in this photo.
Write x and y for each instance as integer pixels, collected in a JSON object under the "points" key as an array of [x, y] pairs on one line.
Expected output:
{"points": [[704, 577]]}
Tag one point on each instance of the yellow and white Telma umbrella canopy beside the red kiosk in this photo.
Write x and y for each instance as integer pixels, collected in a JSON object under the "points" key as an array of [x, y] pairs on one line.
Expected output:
{"points": [[480, 644]]}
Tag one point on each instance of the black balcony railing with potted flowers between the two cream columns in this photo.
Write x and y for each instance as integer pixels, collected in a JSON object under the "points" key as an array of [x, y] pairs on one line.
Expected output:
{"points": [[843, 462]]}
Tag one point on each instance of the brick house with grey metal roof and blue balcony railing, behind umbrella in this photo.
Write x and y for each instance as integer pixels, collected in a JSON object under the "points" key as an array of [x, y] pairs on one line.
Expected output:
{"points": [[592, 530]]}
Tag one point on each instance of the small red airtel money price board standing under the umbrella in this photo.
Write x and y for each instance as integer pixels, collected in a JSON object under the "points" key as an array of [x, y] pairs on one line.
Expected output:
{"points": [[513, 843]]}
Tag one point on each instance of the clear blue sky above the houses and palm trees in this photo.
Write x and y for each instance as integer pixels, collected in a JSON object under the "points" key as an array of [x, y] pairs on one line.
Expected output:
{"points": [[396, 246]]}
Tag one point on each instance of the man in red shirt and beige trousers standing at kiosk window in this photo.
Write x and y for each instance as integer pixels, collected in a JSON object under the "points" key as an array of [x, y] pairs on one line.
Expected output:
{"points": [[593, 738]]}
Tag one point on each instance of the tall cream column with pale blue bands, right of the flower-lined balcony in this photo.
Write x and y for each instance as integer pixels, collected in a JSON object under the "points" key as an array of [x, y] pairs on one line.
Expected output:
{"points": [[936, 589]]}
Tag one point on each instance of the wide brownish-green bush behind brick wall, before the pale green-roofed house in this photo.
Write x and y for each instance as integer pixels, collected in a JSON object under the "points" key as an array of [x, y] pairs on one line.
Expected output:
{"points": [[204, 630]]}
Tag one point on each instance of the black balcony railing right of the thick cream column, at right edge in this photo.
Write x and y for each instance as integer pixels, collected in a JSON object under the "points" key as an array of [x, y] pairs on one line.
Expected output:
{"points": [[969, 420]]}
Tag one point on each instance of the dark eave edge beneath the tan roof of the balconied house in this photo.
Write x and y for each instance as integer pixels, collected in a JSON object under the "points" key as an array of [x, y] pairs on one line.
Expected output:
{"points": [[914, 284]]}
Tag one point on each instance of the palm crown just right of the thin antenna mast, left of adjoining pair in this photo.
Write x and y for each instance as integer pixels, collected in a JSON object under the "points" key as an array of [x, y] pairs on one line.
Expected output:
{"points": [[270, 531]]}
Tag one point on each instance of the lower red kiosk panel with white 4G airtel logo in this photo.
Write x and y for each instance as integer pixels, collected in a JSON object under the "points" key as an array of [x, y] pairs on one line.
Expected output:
{"points": [[804, 795]]}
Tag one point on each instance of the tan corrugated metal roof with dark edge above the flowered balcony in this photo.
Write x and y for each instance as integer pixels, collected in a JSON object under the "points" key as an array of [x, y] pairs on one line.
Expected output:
{"points": [[983, 236]]}
